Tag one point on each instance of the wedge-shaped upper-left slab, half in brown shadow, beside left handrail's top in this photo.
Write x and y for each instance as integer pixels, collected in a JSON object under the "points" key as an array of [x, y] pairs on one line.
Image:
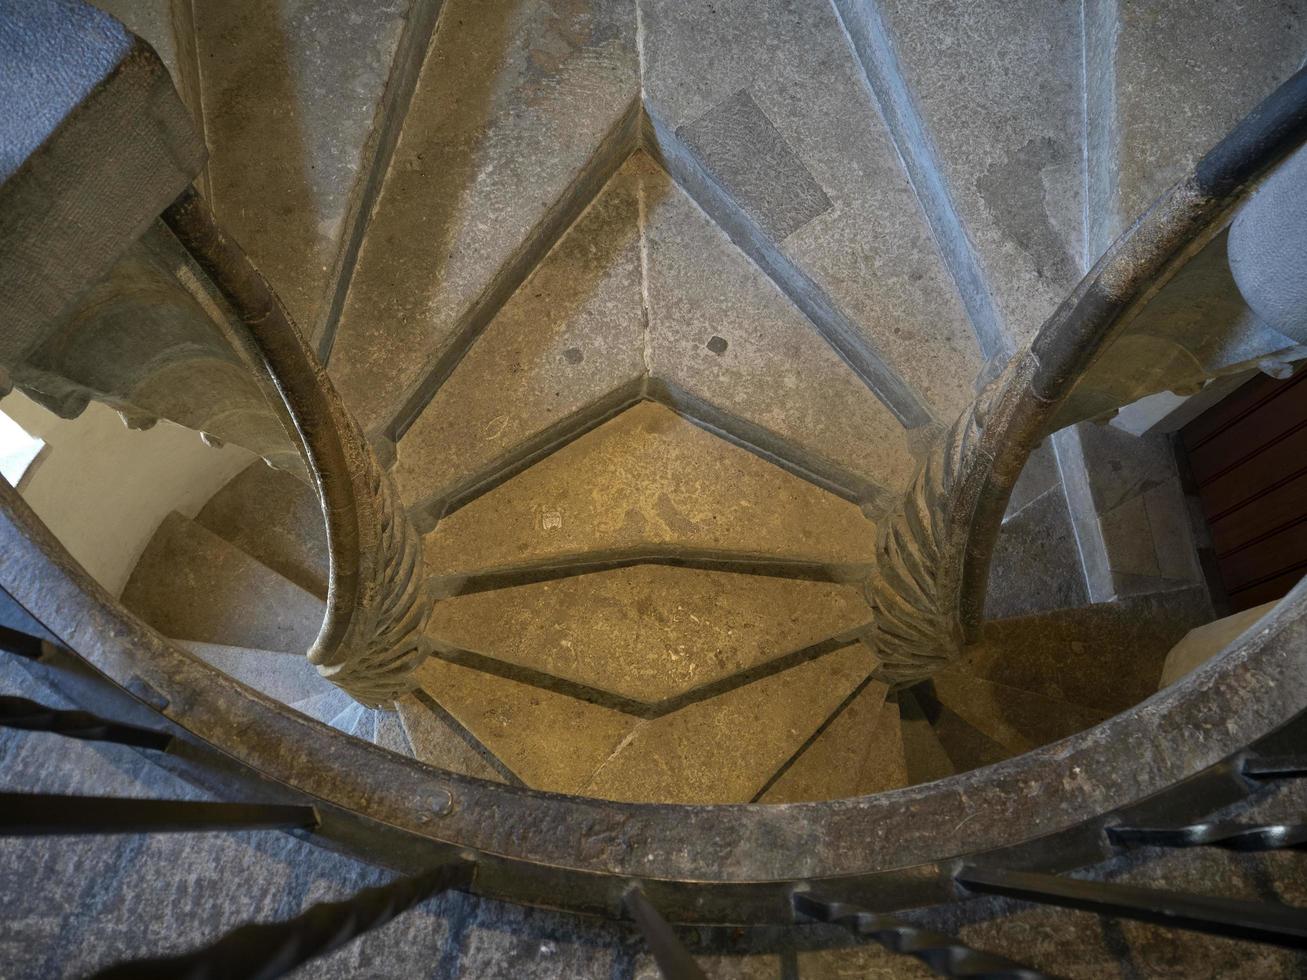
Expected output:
{"points": [[292, 93]]}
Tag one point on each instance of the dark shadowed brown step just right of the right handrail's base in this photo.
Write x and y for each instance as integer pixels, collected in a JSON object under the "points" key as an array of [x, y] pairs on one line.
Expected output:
{"points": [[1106, 657]]}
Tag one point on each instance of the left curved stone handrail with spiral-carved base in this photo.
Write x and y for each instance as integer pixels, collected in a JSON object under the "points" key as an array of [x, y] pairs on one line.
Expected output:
{"points": [[372, 637]]}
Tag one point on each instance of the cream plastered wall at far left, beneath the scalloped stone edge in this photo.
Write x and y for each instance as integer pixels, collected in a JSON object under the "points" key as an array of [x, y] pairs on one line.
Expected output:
{"points": [[104, 489]]}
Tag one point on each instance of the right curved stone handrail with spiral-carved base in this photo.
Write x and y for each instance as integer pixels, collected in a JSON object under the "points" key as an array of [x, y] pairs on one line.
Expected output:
{"points": [[934, 549]]}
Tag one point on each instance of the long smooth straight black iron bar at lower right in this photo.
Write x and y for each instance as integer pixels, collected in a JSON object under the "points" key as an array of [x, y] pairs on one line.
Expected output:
{"points": [[1261, 922]]}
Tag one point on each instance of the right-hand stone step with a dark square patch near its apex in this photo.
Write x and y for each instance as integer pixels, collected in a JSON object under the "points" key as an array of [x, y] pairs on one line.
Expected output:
{"points": [[786, 148]]}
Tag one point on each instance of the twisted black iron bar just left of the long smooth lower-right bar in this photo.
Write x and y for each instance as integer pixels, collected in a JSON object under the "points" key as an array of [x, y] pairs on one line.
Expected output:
{"points": [[942, 953]]}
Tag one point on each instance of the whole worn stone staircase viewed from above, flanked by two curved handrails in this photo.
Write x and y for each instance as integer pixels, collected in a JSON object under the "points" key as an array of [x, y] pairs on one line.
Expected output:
{"points": [[654, 325]]}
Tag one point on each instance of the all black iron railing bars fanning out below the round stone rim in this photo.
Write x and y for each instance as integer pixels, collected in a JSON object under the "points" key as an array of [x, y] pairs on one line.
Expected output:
{"points": [[269, 951]]}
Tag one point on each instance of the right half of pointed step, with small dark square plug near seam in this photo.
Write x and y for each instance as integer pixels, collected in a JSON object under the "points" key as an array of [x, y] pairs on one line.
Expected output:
{"points": [[725, 339]]}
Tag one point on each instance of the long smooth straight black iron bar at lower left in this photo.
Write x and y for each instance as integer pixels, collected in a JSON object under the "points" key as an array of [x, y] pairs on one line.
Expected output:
{"points": [[41, 815]]}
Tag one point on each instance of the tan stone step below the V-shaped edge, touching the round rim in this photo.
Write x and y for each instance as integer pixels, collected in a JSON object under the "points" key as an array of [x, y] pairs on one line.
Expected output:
{"points": [[718, 751]]}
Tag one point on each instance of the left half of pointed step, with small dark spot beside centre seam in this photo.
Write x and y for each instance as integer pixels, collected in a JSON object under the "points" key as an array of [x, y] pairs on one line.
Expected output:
{"points": [[548, 365]]}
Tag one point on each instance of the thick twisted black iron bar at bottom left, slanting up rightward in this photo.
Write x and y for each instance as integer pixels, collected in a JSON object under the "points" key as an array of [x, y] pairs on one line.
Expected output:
{"points": [[267, 951]]}
